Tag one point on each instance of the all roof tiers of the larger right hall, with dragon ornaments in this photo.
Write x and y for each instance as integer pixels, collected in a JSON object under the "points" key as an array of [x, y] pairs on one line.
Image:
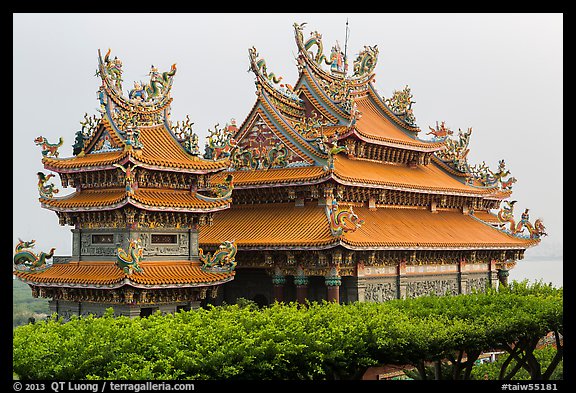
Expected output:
{"points": [[328, 112]]}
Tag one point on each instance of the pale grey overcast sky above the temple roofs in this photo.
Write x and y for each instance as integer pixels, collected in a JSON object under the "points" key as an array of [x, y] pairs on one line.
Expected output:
{"points": [[500, 74]]}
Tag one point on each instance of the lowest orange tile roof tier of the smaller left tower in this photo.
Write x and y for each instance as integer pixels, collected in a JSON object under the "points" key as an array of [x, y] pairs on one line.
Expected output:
{"points": [[107, 274]]}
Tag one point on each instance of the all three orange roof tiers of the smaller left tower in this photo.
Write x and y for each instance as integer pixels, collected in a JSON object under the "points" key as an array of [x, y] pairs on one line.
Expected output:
{"points": [[131, 155]]}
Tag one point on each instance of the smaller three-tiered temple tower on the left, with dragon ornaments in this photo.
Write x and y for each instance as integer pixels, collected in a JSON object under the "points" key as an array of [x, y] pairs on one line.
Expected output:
{"points": [[135, 209]]}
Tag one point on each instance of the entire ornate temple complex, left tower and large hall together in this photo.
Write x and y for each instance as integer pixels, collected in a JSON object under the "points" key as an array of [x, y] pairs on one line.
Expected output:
{"points": [[326, 191]]}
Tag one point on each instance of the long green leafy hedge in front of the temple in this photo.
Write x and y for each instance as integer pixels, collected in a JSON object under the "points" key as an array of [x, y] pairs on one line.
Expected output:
{"points": [[287, 341]]}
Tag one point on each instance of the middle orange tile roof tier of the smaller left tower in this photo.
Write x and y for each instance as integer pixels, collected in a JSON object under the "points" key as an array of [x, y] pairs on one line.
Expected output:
{"points": [[151, 198]]}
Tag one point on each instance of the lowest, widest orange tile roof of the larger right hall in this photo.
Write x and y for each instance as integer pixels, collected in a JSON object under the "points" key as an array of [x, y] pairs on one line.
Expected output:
{"points": [[285, 225]]}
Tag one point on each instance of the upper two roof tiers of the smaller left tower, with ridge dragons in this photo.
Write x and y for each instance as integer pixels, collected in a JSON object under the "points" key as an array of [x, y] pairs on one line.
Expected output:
{"points": [[133, 132]]}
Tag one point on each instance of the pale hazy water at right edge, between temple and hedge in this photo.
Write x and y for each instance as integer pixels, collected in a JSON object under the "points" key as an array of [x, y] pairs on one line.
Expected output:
{"points": [[536, 268]]}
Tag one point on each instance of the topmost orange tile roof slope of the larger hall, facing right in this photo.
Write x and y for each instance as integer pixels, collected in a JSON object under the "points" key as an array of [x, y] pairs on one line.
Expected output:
{"points": [[375, 127]]}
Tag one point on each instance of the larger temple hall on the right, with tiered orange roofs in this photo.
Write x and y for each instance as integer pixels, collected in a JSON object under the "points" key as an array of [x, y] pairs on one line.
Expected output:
{"points": [[339, 196]]}
